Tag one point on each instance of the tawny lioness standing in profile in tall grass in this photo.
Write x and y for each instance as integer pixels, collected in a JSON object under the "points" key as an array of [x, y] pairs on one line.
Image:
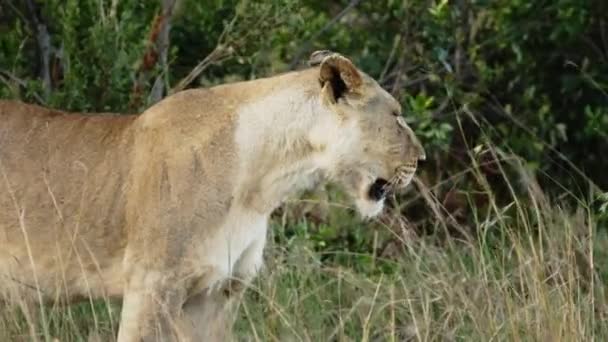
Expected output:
{"points": [[162, 209]]}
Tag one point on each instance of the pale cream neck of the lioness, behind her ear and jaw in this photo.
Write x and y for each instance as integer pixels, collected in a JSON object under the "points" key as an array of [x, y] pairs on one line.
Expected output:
{"points": [[282, 140]]}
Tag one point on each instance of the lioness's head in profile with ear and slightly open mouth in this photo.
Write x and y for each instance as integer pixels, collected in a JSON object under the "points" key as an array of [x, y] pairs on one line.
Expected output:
{"points": [[385, 154]]}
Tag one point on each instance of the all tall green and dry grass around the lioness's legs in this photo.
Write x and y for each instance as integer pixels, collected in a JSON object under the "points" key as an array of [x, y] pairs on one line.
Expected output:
{"points": [[525, 269]]}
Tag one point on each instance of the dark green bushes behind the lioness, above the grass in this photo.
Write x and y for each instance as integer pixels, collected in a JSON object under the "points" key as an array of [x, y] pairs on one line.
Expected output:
{"points": [[530, 76]]}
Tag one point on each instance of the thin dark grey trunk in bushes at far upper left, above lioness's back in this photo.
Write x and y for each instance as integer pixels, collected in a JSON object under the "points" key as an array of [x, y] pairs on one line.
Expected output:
{"points": [[44, 45]]}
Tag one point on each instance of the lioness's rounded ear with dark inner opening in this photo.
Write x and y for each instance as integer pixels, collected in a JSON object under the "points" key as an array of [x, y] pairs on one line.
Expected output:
{"points": [[337, 74]]}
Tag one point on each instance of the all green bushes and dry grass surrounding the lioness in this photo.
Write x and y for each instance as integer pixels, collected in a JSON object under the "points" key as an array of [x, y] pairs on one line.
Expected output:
{"points": [[503, 236]]}
